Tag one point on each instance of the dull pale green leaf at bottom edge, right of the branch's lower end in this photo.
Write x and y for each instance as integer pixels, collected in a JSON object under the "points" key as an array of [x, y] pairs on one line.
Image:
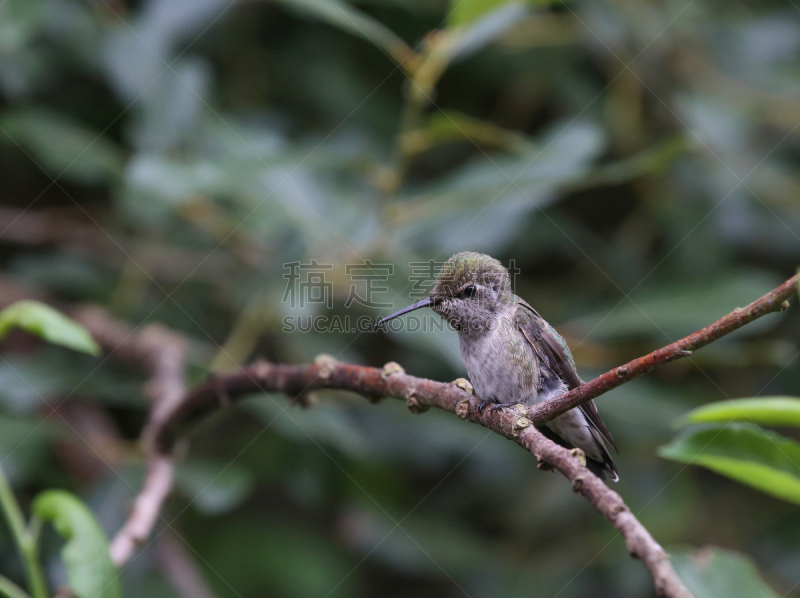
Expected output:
{"points": [[717, 573]]}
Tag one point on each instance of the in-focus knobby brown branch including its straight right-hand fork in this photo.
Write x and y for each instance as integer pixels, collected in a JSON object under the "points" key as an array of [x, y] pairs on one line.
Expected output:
{"points": [[515, 424]]}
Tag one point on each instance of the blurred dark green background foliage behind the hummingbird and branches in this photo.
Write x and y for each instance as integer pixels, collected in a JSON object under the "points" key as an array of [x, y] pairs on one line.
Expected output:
{"points": [[166, 158]]}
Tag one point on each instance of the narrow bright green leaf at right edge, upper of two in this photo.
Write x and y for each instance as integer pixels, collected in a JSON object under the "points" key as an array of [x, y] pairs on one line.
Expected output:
{"points": [[768, 411]]}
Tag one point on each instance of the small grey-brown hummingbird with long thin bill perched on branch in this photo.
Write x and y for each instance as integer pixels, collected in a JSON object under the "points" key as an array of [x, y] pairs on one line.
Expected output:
{"points": [[512, 355]]}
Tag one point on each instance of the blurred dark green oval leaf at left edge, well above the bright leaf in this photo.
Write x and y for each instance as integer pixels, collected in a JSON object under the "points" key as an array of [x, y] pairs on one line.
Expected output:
{"points": [[63, 147]]}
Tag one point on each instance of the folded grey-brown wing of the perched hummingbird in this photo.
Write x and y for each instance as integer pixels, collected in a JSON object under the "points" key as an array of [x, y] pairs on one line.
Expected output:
{"points": [[552, 349]]}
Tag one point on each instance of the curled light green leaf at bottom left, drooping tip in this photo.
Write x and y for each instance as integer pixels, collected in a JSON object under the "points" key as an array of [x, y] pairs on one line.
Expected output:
{"points": [[90, 571]]}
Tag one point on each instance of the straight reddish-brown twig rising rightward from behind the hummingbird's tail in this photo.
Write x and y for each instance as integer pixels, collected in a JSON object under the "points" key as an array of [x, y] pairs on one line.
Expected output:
{"points": [[776, 300]]}
